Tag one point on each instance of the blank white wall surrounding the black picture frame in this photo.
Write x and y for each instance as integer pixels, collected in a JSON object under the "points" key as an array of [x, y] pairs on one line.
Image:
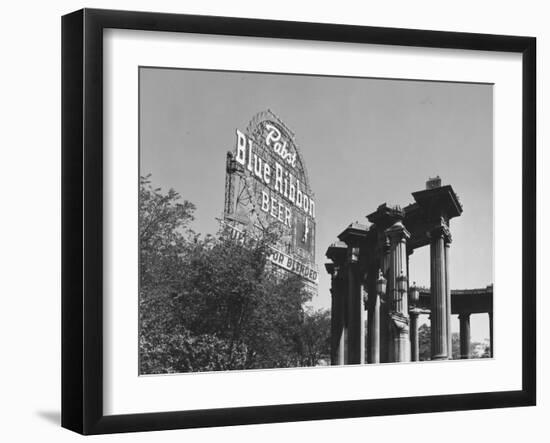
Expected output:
{"points": [[30, 218]]}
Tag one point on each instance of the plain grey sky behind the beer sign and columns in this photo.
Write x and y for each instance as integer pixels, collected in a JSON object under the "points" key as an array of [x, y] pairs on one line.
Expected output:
{"points": [[364, 142]]}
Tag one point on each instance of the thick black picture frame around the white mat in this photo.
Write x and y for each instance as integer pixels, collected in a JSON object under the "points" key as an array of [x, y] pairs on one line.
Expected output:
{"points": [[82, 215]]}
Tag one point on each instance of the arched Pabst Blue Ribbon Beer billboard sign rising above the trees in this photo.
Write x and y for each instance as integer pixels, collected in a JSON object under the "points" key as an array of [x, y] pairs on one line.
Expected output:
{"points": [[267, 185]]}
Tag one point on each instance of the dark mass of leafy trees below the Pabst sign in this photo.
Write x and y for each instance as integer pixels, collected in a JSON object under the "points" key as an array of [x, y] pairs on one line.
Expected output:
{"points": [[212, 303]]}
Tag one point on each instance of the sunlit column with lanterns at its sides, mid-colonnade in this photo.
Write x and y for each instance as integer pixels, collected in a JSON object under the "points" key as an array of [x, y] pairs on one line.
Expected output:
{"points": [[397, 292]]}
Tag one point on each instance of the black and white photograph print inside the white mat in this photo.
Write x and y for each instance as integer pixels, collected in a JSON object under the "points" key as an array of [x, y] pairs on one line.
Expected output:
{"points": [[293, 221]]}
